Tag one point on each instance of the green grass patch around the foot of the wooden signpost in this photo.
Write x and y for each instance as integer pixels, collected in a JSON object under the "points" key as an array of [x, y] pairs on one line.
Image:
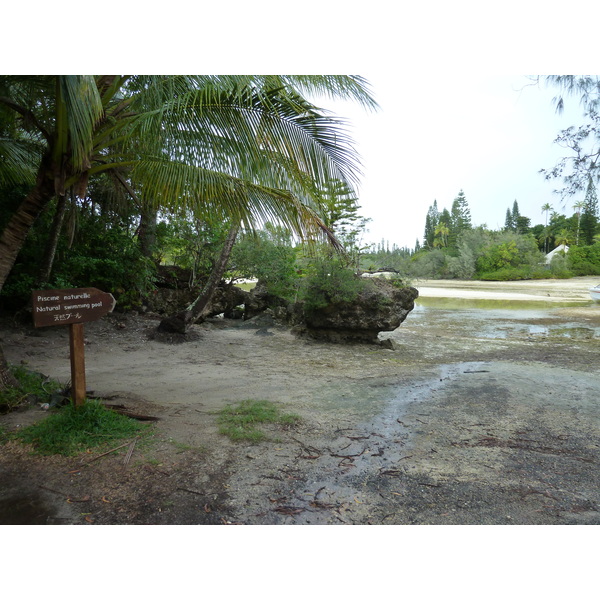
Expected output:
{"points": [[73, 430]]}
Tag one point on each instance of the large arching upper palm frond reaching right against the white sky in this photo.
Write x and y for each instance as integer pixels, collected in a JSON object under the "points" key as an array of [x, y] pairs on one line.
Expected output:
{"points": [[228, 131]]}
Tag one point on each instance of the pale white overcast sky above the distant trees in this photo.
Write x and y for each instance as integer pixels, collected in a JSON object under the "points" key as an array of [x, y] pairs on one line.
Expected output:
{"points": [[433, 136]]}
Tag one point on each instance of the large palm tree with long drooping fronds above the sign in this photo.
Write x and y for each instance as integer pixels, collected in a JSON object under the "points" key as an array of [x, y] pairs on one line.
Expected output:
{"points": [[242, 148]]}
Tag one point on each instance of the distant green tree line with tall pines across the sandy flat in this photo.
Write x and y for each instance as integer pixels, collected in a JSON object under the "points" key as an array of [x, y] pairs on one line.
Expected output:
{"points": [[453, 247]]}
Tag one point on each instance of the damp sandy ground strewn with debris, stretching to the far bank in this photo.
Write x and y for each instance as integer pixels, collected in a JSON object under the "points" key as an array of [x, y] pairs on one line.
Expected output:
{"points": [[479, 416]]}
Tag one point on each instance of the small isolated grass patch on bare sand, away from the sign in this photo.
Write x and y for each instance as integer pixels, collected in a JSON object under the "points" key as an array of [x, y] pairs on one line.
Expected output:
{"points": [[239, 422]]}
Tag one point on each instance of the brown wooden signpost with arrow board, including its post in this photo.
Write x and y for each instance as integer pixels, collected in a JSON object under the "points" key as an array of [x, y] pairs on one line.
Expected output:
{"points": [[72, 307]]}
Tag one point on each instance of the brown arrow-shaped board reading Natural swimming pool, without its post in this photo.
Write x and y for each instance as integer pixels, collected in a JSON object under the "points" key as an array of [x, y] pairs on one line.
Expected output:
{"points": [[64, 307]]}
